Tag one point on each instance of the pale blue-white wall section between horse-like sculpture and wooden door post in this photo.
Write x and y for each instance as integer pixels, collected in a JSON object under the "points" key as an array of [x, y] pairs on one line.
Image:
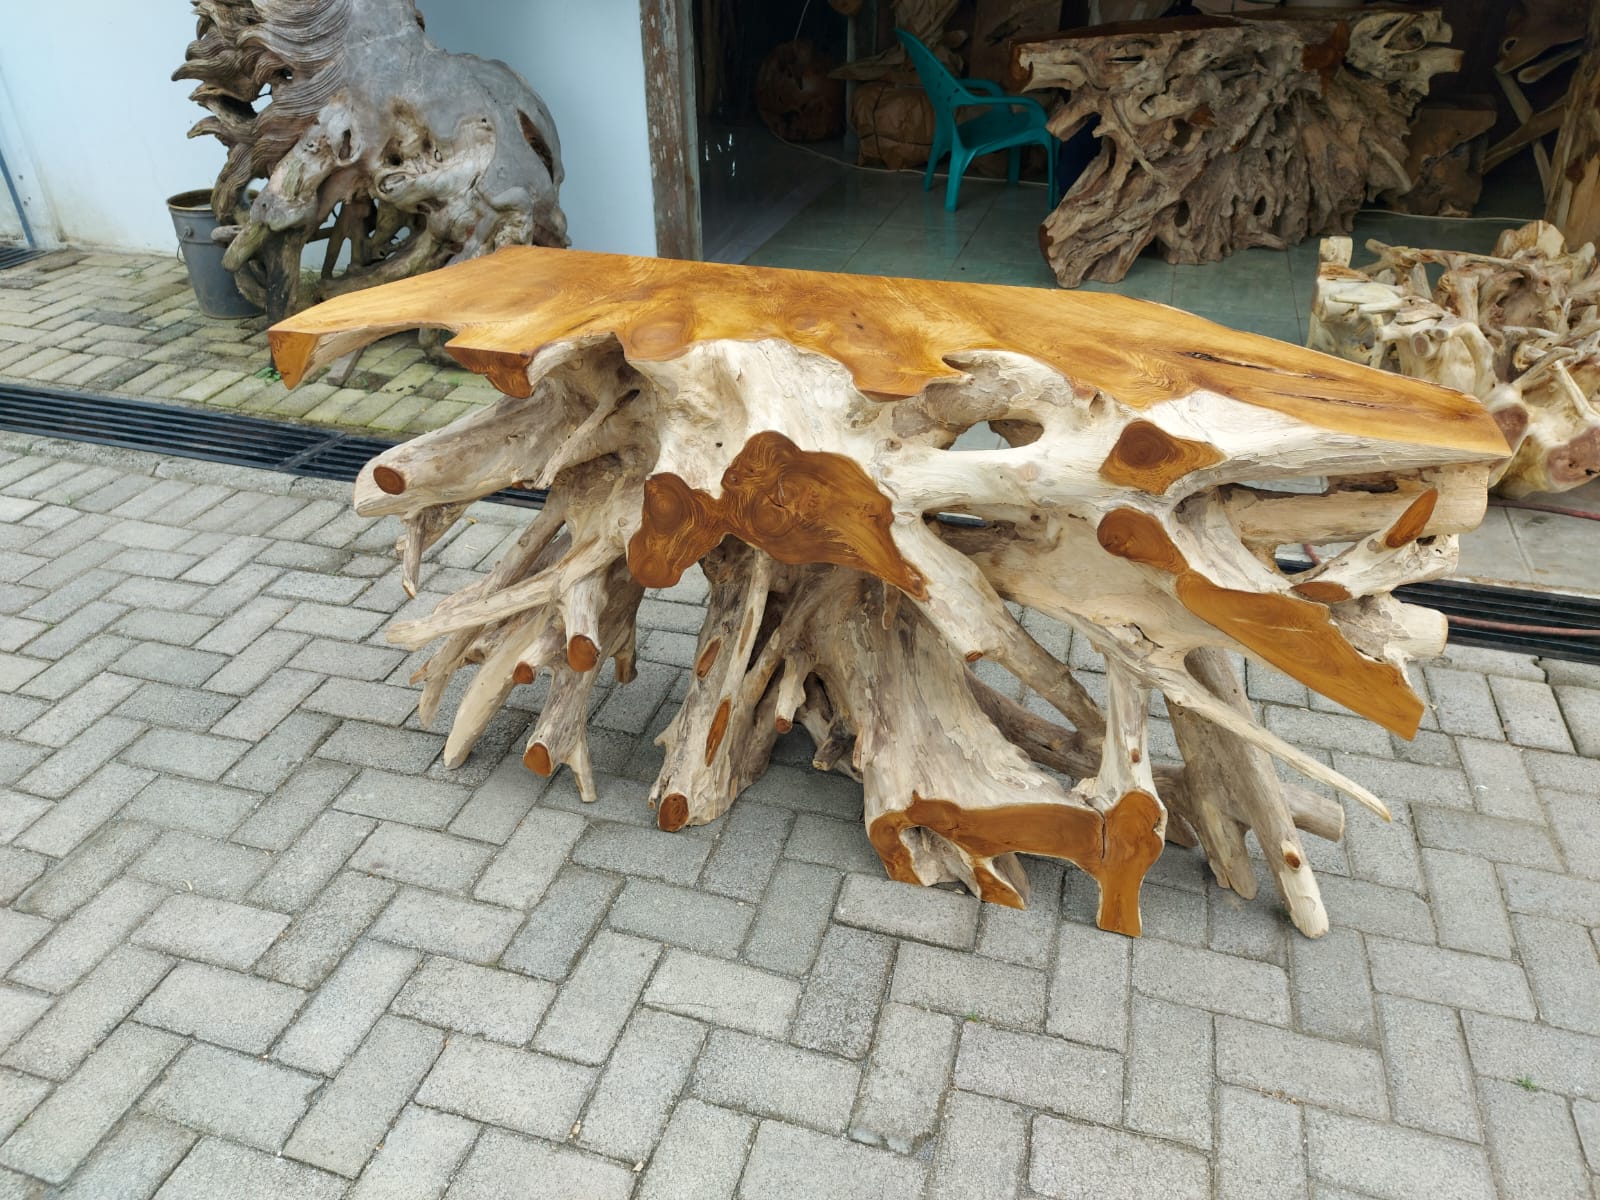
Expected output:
{"points": [[586, 60]]}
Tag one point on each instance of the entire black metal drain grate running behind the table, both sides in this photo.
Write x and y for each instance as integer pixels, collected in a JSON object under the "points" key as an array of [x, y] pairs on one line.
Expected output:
{"points": [[321, 454]]}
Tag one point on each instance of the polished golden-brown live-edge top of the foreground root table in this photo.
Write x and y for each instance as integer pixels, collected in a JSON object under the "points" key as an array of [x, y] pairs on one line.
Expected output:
{"points": [[894, 335]]}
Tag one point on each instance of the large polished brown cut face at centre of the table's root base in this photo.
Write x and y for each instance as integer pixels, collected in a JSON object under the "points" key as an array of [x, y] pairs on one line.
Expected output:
{"points": [[799, 506]]}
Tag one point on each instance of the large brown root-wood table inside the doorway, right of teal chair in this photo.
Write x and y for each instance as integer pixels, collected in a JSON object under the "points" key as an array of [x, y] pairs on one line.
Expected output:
{"points": [[1222, 134]]}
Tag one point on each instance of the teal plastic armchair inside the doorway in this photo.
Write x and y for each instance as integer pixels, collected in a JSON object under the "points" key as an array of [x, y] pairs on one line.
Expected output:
{"points": [[1010, 122]]}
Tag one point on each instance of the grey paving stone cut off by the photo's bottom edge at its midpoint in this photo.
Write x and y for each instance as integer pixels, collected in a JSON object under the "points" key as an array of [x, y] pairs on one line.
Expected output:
{"points": [[788, 1164]]}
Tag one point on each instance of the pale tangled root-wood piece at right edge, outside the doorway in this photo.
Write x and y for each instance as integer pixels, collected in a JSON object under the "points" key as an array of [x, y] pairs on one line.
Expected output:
{"points": [[1518, 329]]}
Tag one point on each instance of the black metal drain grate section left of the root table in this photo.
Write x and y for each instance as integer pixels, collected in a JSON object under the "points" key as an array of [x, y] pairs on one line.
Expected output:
{"points": [[201, 433]]}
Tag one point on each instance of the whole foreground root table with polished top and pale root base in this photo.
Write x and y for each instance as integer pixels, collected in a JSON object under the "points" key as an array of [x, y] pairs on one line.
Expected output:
{"points": [[791, 433]]}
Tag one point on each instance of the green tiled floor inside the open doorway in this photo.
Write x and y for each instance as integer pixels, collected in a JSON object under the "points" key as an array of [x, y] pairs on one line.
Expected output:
{"points": [[878, 223]]}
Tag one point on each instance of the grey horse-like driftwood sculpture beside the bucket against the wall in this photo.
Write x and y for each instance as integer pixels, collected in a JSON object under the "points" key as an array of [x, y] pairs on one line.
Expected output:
{"points": [[418, 158]]}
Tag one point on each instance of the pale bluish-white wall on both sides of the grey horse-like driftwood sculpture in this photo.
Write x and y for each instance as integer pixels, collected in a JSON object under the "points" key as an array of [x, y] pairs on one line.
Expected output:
{"points": [[94, 129]]}
